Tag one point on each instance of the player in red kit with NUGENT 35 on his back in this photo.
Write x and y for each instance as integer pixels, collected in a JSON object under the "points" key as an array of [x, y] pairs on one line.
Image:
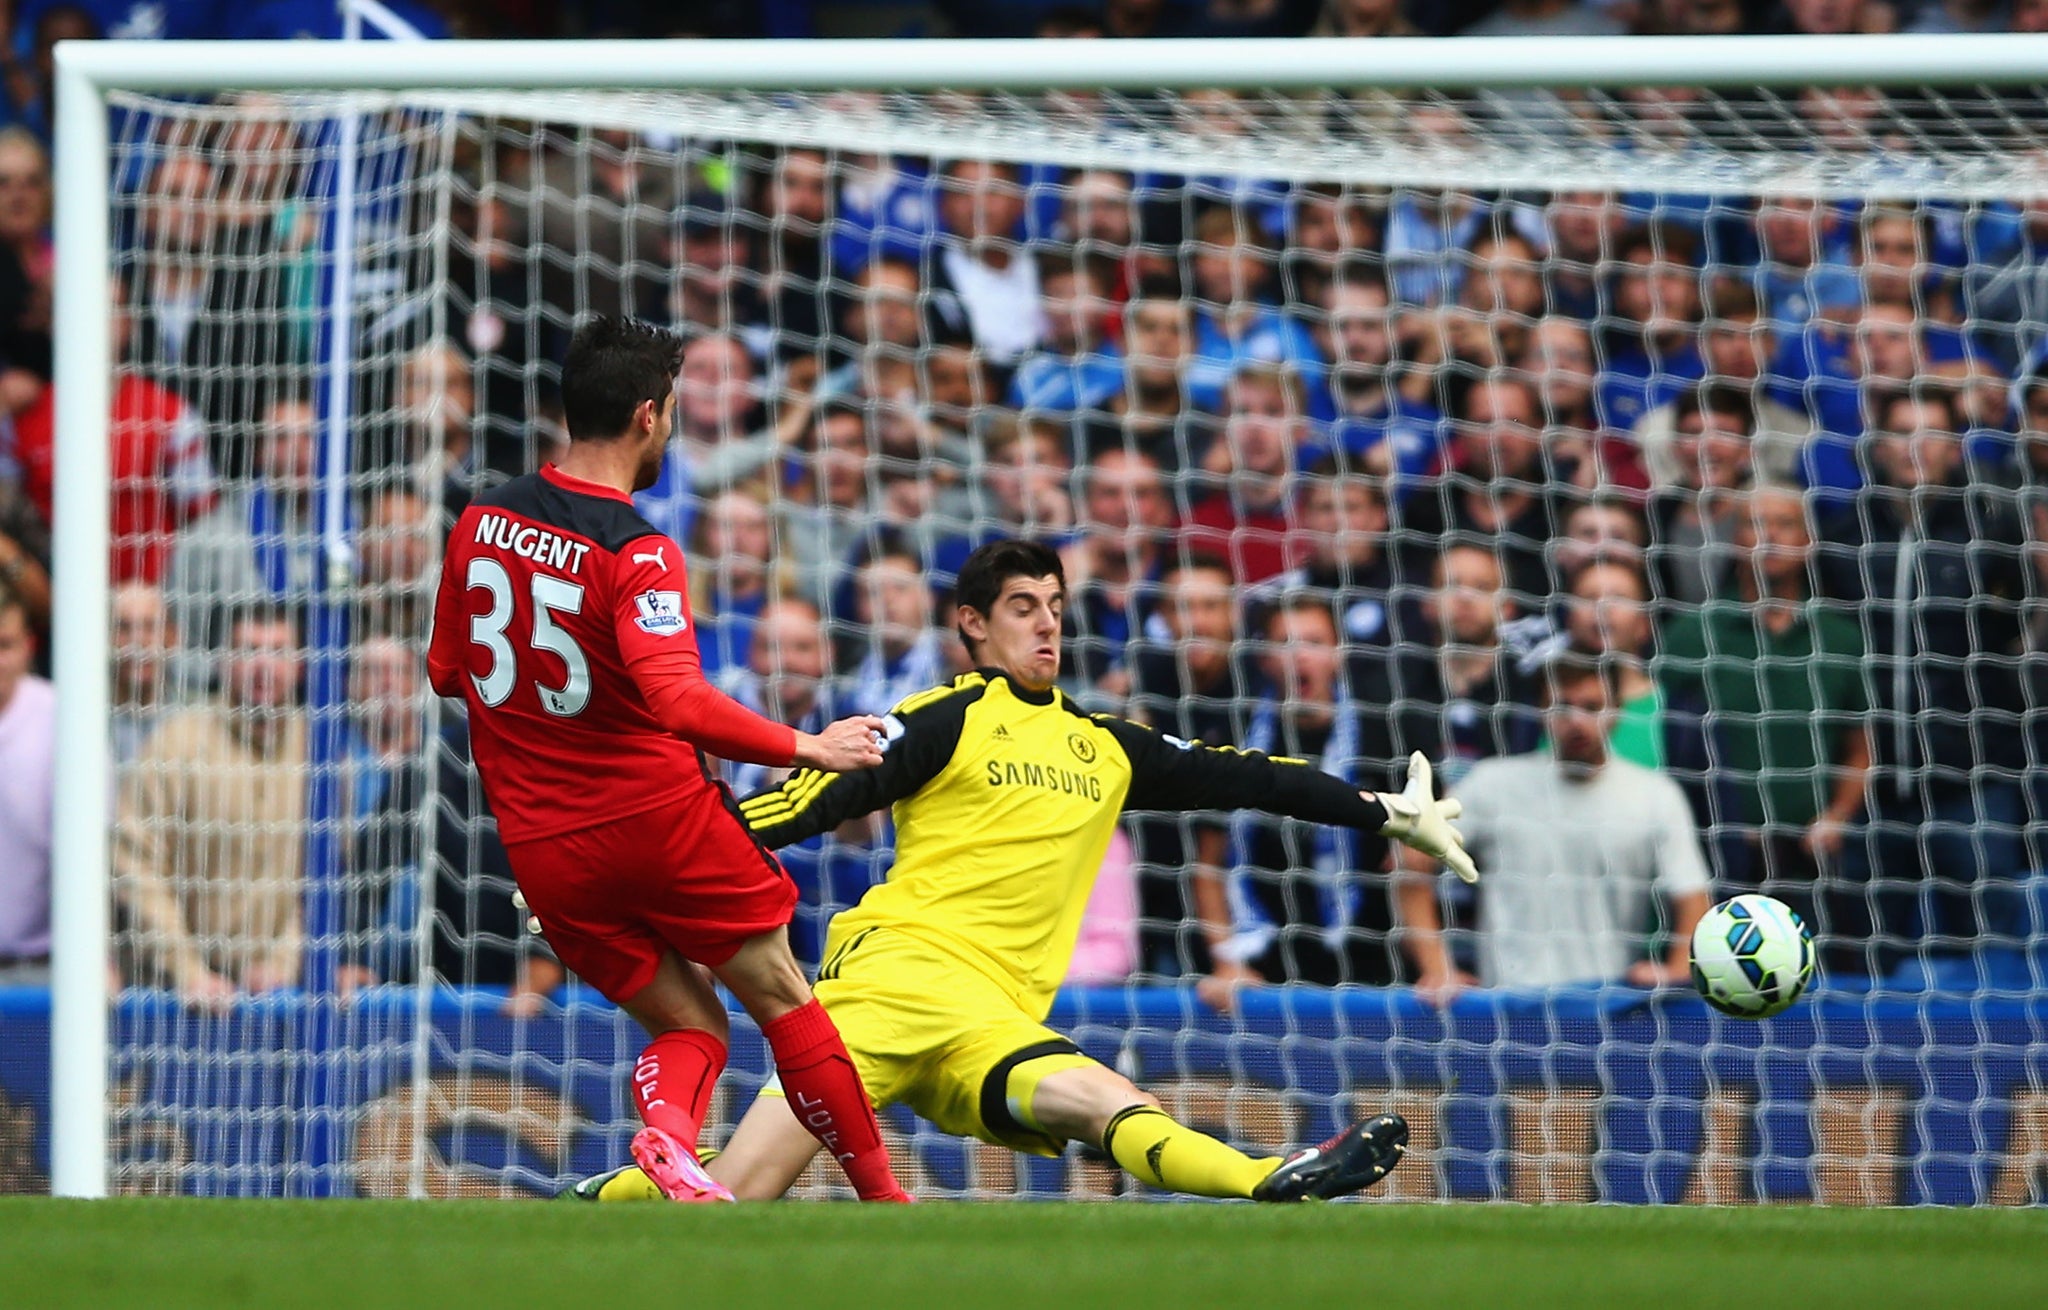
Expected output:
{"points": [[564, 623]]}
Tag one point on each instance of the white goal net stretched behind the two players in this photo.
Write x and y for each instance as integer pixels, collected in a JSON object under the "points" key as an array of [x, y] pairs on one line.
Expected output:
{"points": [[1355, 417]]}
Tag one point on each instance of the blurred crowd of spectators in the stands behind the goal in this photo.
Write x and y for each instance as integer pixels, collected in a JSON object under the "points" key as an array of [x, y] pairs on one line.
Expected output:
{"points": [[1701, 539]]}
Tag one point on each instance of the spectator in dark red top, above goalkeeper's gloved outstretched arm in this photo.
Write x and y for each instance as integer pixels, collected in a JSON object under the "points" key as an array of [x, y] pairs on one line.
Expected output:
{"points": [[1242, 500]]}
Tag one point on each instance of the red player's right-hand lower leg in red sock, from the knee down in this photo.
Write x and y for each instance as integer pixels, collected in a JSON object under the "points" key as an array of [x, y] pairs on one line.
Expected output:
{"points": [[818, 1076]]}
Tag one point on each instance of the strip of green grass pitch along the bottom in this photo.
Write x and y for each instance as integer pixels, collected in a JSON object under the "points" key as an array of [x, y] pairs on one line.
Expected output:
{"points": [[167, 1254]]}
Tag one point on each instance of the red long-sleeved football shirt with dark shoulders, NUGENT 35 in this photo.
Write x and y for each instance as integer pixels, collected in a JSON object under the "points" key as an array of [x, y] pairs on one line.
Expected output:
{"points": [[564, 623]]}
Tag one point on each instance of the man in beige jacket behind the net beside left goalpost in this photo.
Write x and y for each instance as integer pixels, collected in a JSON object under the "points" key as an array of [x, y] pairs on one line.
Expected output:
{"points": [[210, 830]]}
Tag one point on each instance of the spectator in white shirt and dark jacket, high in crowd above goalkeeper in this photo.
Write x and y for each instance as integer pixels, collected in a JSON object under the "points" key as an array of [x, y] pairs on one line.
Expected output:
{"points": [[980, 275]]}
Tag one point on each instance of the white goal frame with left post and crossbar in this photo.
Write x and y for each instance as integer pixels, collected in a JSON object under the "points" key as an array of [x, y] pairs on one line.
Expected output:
{"points": [[89, 73]]}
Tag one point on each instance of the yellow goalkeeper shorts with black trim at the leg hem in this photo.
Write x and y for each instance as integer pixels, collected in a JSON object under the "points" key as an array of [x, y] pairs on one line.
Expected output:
{"points": [[943, 1039]]}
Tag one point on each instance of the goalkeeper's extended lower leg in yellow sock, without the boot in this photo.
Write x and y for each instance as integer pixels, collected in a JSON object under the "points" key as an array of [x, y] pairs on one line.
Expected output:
{"points": [[1097, 1104]]}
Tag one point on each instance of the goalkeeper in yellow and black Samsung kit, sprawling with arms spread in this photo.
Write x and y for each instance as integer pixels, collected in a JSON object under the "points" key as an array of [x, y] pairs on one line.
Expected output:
{"points": [[1005, 803]]}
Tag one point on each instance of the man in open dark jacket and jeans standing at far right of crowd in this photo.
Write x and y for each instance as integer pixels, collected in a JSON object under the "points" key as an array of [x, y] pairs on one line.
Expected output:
{"points": [[1934, 566]]}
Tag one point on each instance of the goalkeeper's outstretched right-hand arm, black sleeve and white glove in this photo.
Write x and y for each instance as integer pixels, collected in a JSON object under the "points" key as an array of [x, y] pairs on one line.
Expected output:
{"points": [[1172, 775]]}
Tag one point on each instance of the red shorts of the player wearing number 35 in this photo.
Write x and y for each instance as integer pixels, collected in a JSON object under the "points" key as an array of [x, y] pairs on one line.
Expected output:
{"points": [[620, 896]]}
